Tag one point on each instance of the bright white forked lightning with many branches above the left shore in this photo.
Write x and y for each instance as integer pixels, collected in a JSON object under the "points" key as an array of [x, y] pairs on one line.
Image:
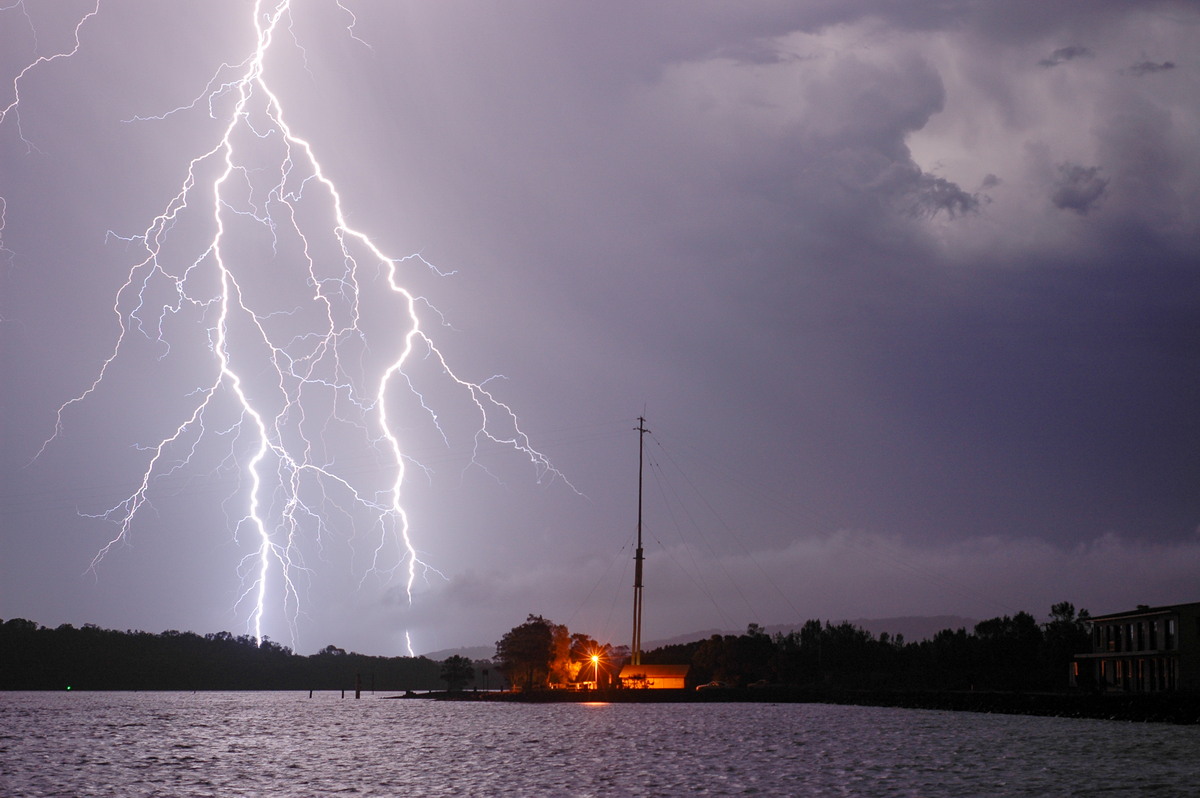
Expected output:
{"points": [[291, 388]]}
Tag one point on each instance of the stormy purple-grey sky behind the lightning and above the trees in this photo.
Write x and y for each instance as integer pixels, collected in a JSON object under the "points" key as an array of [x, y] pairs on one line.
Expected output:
{"points": [[909, 295]]}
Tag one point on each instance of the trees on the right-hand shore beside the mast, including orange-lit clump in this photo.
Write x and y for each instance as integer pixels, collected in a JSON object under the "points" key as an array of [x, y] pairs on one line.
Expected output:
{"points": [[1007, 653]]}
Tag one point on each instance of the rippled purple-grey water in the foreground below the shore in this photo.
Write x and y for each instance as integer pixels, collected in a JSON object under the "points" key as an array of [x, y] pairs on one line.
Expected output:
{"points": [[286, 745]]}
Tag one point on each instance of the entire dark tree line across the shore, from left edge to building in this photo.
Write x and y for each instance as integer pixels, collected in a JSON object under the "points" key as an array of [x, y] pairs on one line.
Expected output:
{"points": [[1007, 653]]}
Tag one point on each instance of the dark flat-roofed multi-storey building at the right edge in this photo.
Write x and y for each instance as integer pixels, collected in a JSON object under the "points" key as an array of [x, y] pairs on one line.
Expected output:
{"points": [[1149, 650]]}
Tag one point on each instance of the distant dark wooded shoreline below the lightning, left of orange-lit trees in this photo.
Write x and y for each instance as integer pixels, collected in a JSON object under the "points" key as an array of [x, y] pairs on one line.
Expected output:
{"points": [[91, 658]]}
